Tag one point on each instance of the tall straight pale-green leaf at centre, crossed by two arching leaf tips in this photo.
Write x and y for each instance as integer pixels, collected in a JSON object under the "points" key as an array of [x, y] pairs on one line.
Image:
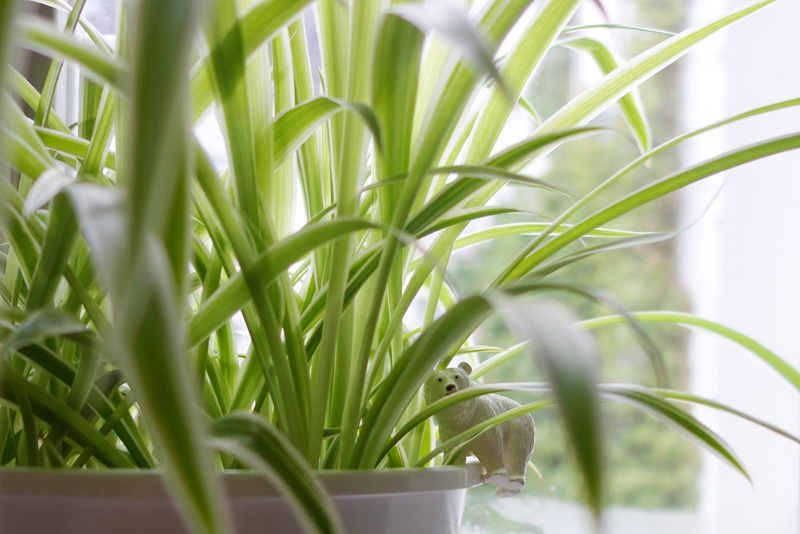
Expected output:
{"points": [[339, 372]]}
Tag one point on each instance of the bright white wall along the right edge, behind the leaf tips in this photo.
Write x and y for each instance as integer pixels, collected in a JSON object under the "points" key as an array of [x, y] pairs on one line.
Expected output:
{"points": [[742, 266]]}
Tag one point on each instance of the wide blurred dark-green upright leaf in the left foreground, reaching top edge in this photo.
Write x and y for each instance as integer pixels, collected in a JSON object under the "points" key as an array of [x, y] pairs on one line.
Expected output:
{"points": [[157, 144]]}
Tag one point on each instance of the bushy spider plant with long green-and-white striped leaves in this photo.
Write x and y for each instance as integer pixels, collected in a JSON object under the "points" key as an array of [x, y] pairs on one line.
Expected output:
{"points": [[132, 254]]}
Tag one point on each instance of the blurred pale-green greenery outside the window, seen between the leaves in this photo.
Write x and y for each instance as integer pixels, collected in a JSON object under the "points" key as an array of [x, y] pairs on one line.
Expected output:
{"points": [[650, 466]]}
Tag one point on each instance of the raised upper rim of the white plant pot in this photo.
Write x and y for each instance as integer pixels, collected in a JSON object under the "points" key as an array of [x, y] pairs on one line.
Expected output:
{"points": [[144, 484]]}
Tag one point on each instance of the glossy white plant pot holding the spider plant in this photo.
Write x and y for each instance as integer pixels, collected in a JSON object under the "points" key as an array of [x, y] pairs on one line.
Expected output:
{"points": [[133, 502]]}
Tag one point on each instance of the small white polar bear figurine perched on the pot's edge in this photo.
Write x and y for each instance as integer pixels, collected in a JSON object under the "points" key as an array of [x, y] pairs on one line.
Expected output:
{"points": [[504, 450]]}
